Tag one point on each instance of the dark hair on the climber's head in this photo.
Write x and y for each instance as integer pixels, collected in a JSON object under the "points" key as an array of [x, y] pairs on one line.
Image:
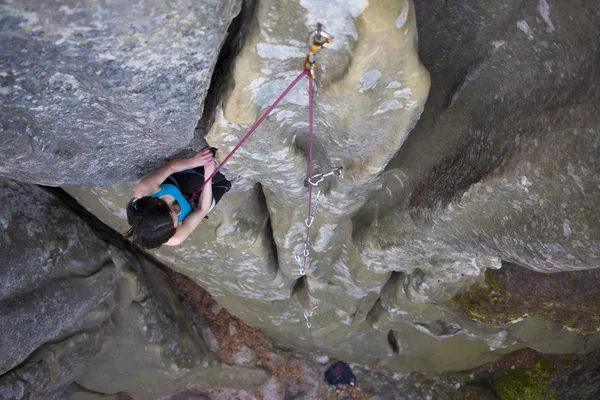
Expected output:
{"points": [[151, 222]]}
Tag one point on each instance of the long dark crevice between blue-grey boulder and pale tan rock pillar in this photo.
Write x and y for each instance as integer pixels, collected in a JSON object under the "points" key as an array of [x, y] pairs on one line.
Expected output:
{"points": [[221, 83]]}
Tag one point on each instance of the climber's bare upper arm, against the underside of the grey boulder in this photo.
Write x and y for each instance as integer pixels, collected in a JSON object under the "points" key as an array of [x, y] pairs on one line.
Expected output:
{"points": [[150, 184]]}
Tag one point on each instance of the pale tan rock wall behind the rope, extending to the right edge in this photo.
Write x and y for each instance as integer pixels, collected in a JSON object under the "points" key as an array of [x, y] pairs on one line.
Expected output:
{"points": [[501, 166]]}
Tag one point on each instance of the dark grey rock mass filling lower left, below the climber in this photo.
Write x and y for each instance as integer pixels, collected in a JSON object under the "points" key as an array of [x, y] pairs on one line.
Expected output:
{"points": [[73, 308]]}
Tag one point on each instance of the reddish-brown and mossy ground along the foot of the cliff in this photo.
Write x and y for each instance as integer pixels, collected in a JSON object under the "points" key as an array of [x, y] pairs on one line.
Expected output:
{"points": [[297, 374]]}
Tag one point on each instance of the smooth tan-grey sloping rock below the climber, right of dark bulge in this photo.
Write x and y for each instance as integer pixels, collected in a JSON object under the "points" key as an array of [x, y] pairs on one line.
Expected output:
{"points": [[152, 343]]}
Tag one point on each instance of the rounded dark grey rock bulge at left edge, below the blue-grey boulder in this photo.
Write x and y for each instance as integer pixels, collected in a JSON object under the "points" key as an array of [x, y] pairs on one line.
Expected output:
{"points": [[56, 275]]}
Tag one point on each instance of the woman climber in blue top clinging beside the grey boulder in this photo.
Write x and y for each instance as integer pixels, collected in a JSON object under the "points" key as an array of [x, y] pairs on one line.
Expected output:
{"points": [[163, 211]]}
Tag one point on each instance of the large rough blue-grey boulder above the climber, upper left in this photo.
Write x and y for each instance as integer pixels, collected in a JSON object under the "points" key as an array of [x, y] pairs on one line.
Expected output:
{"points": [[108, 90]]}
